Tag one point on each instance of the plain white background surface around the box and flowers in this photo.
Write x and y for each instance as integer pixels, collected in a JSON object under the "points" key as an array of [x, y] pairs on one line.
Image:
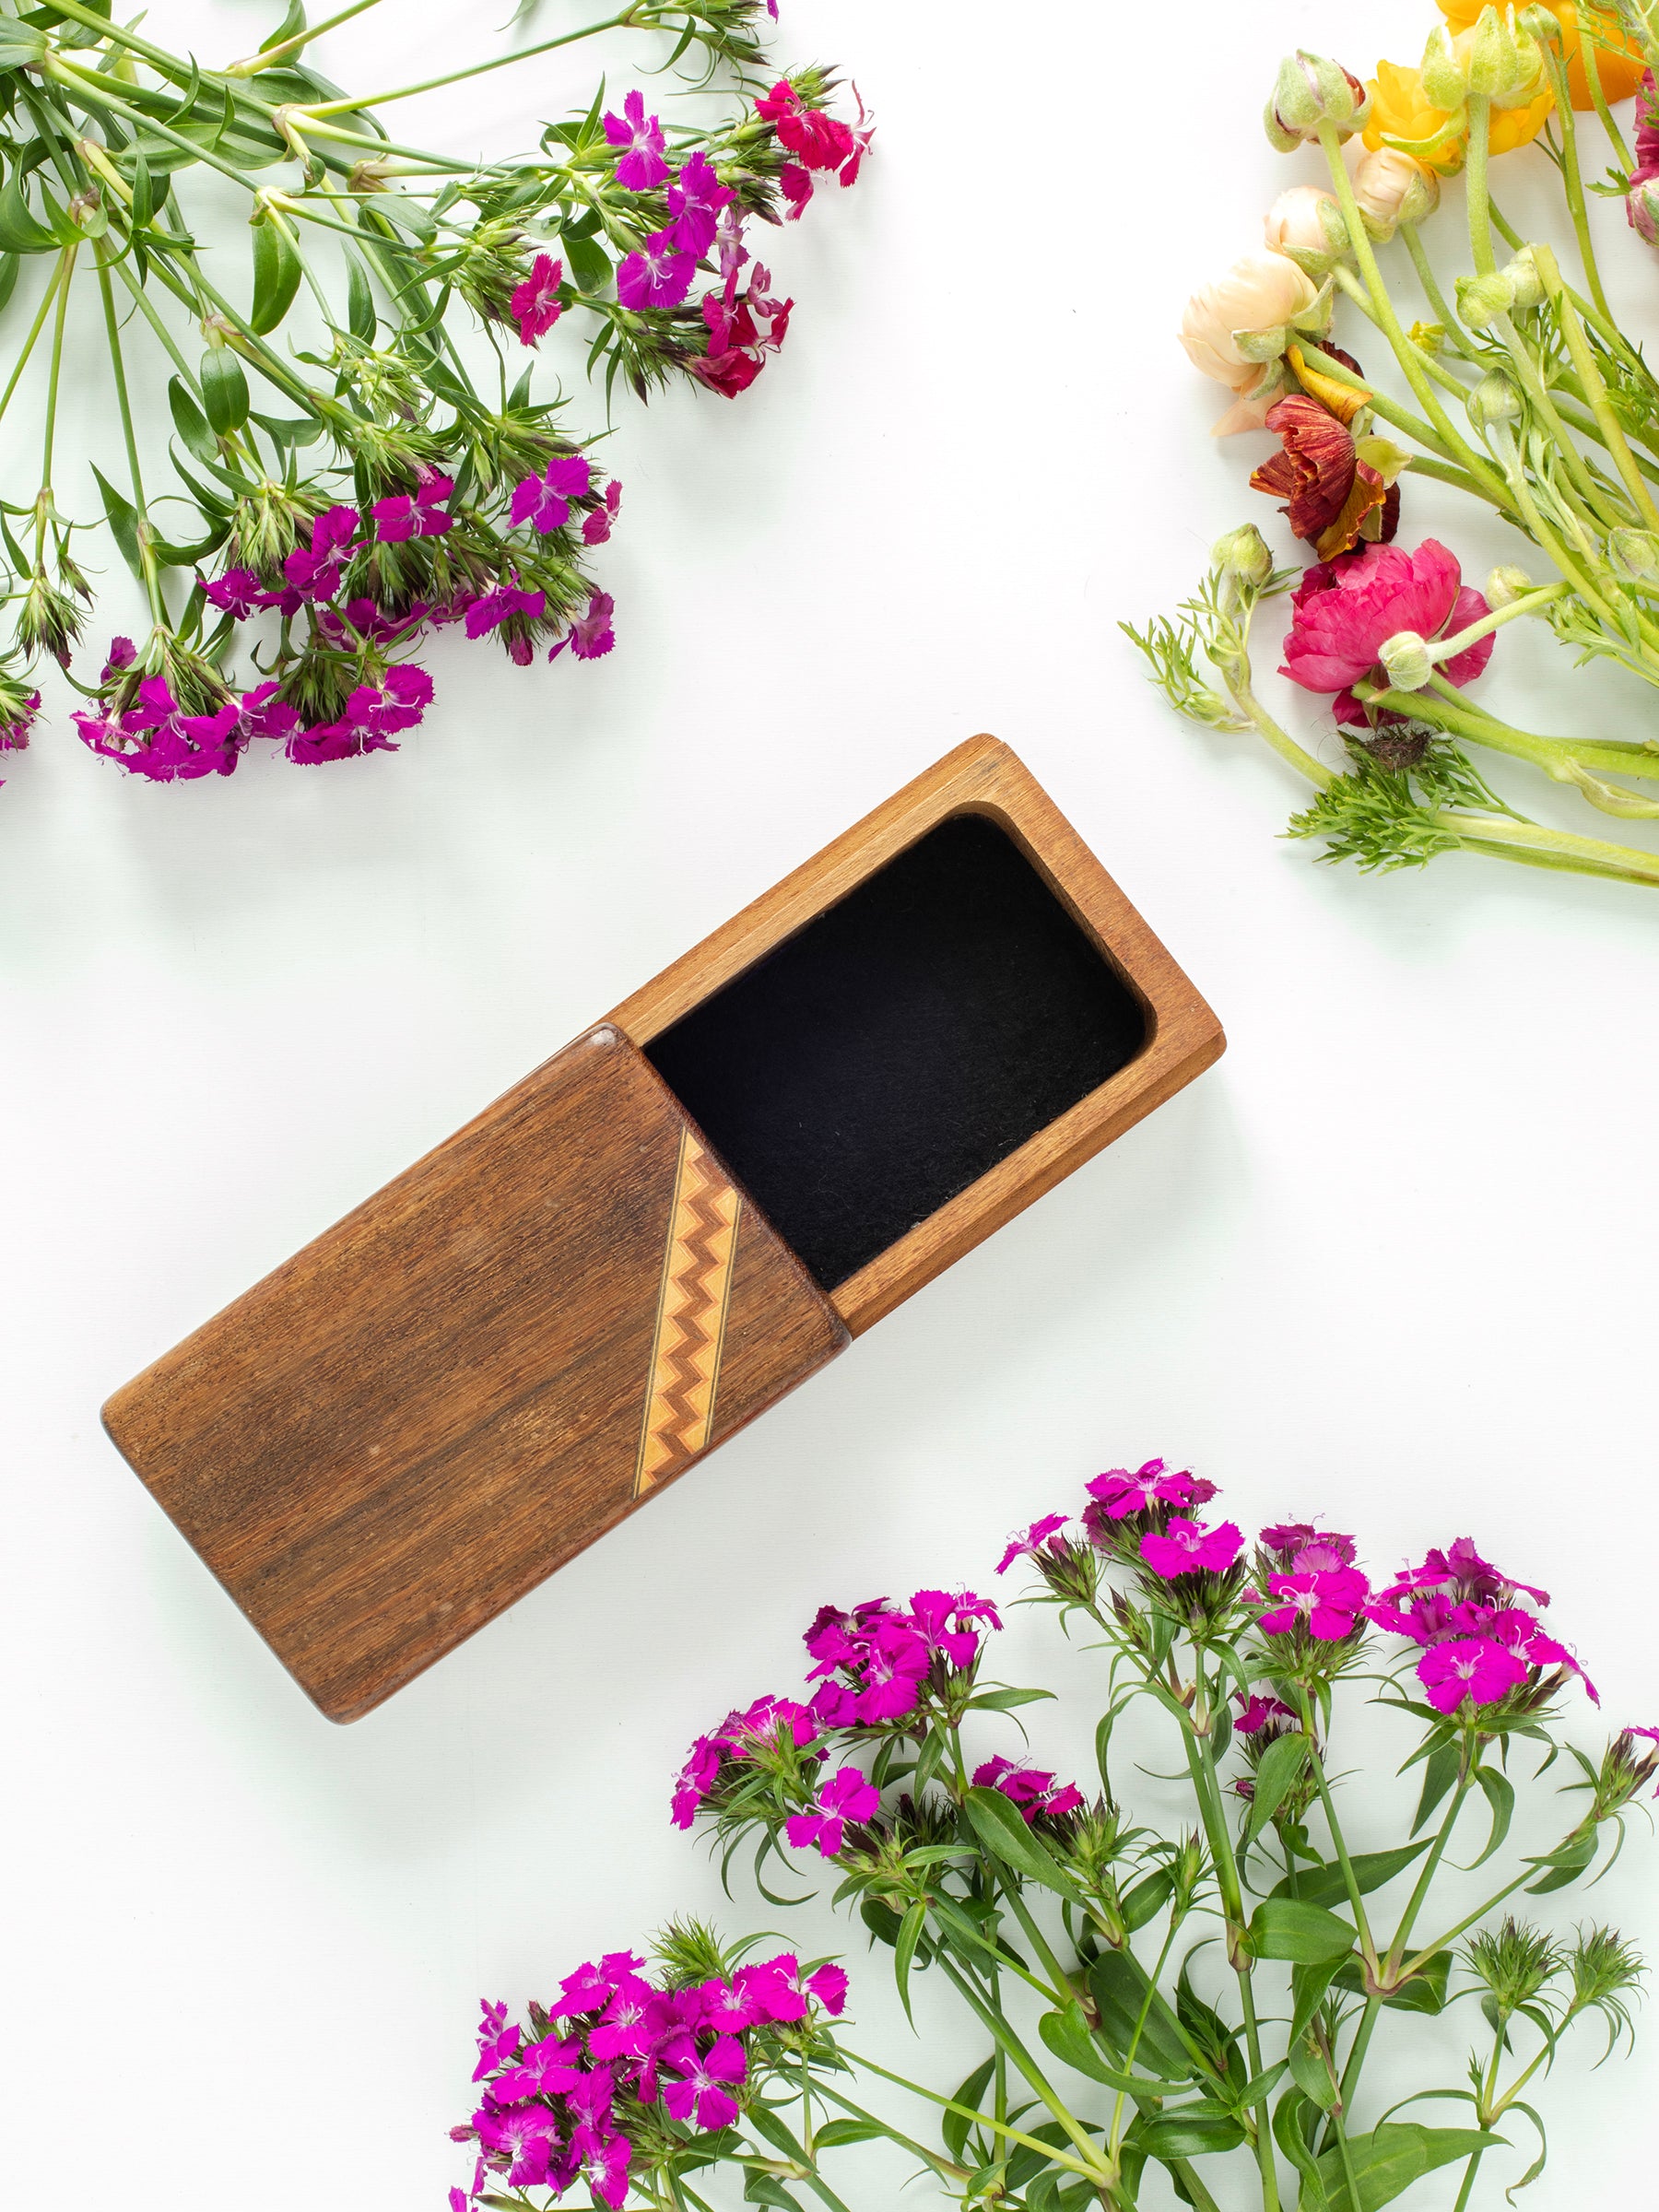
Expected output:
{"points": [[1392, 1260]]}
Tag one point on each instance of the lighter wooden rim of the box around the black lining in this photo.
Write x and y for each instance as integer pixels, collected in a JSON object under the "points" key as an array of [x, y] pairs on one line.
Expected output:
{"points": [[1185, 1036]]}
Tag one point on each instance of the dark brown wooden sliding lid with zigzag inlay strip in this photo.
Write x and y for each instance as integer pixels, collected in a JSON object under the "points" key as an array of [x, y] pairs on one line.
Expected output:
{"points": [[472, 1377]]}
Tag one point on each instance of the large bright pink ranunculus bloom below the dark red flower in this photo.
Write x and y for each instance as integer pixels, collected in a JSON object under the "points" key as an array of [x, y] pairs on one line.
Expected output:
{"points": [[1348, 609]]}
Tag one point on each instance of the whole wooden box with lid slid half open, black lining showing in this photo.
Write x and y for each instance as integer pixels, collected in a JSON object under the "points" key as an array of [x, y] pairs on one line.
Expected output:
{"points": [[665, 1229]]}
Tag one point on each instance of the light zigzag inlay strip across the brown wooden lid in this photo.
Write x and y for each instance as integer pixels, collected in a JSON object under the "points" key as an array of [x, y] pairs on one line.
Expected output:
{"points": [[691, 1317]]}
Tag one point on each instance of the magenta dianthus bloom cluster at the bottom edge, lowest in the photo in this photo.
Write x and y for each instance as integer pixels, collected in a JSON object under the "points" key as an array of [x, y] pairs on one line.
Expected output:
{"points": [[567, 2103]]}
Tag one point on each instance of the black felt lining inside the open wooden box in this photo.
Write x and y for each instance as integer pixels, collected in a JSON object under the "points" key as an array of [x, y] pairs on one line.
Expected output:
{"points": [[901, 1045]]}
